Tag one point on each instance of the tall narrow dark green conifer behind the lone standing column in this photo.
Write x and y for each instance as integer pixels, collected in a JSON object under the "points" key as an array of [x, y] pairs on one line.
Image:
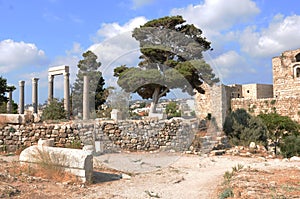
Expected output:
{"points": [[89, 66]]}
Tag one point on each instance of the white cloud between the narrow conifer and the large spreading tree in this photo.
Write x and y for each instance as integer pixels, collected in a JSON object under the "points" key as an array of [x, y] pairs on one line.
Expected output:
{"points": [[118, 47]]}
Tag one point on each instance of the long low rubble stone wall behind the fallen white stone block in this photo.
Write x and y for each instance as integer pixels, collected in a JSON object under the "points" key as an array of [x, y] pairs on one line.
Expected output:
{"points": [[113, 136]]}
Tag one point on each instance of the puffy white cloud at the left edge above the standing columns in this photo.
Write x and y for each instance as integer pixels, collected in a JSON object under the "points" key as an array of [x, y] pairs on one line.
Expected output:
{"points": [[14, 55]]}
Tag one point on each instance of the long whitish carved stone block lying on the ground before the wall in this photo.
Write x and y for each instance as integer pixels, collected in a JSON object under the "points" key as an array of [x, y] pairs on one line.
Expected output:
{"points": [[75, 161]]}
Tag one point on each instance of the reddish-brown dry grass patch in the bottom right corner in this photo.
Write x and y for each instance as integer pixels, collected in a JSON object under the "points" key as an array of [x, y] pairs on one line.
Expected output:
{"points": [[253, 183]]}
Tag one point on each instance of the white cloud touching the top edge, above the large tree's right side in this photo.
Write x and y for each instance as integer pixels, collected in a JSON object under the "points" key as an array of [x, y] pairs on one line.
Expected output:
{"points": [[216, 15]]}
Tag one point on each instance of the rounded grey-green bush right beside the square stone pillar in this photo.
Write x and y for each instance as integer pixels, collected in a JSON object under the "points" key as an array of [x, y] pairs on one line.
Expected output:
{"points": [[242, 128]]}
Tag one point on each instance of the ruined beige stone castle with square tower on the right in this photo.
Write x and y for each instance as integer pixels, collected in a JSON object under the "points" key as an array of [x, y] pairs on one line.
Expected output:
{"points": [[283, 97]]}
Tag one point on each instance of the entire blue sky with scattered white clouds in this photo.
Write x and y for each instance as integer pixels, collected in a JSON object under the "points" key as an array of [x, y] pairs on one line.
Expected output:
{"points": [[38, 34]]}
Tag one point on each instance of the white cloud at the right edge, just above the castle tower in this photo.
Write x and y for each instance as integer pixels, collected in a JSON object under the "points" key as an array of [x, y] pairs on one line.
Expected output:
{"points": [[280, 35]]}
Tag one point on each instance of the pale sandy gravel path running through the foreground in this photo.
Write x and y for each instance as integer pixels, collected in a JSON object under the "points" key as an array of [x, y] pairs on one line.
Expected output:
{"points": [[170, 175]]}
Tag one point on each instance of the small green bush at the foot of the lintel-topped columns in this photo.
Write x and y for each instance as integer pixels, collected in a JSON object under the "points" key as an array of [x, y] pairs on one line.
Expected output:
{"points": [[54, 111]]}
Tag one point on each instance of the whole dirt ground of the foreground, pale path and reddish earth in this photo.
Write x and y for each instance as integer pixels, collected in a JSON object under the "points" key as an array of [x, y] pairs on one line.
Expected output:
{"points": [[169, 176]]}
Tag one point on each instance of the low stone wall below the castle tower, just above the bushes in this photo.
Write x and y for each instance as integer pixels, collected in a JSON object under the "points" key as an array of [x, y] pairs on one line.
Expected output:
{"points": [[285, 106]]}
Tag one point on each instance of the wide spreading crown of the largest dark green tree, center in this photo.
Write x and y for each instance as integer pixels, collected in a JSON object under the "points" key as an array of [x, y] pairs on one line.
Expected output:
{"points": [[171, 58]]}
